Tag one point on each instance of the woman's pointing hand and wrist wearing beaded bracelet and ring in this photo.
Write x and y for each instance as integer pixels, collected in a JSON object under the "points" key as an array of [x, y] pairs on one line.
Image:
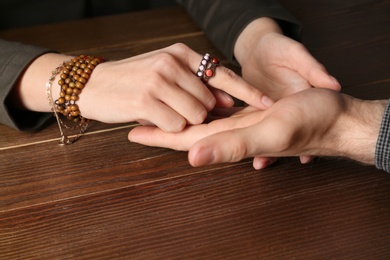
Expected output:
{"points": [[158, 88]]}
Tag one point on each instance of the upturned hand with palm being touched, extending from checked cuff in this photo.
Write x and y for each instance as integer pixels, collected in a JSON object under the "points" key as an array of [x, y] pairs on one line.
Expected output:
{"points": [[315, 122]]}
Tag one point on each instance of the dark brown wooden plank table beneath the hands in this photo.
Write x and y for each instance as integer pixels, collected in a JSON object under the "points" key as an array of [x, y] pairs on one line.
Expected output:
{"points": [[107, 198]]}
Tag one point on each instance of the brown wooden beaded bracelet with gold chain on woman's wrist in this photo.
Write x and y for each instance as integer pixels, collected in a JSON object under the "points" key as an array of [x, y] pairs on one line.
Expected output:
{"points": [[74, 74]]}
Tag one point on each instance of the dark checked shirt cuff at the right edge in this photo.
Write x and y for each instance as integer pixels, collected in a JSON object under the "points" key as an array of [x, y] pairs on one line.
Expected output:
{"points": [[382, 150]]}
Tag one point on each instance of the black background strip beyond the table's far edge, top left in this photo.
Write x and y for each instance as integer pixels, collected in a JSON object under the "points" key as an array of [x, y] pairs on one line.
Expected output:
{"points": [[25, 13]]}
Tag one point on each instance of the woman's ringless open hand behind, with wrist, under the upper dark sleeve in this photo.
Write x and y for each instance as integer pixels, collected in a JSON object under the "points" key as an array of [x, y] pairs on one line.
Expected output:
{"points": [[276, 64]]}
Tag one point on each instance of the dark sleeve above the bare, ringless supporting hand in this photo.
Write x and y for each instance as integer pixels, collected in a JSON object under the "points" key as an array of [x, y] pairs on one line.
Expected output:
{"points": [[223, 21]]}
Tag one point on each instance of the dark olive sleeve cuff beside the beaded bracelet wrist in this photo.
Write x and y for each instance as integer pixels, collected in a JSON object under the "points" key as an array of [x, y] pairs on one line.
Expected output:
{"points": [[14, 58]]}
